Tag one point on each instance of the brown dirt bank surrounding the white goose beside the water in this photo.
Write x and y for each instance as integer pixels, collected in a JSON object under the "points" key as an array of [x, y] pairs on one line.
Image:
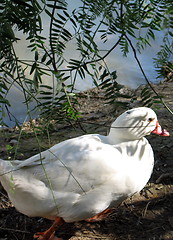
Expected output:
{"points": [[147, 215]]}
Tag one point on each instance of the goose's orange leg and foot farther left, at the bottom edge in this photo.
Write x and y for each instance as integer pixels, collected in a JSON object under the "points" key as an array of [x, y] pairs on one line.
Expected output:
{"points": [[49, 234]]}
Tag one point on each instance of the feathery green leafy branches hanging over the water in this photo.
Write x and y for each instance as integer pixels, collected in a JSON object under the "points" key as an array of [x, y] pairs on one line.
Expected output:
{"points": [[93, 20]]}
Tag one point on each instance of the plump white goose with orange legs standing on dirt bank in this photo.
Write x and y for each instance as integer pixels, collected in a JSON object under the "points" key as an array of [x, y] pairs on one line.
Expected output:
{"points": [[82, 178]]}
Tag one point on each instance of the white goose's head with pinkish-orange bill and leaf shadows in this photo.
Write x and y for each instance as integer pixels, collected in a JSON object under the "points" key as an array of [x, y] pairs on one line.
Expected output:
{"points": [[134, 124]]}
